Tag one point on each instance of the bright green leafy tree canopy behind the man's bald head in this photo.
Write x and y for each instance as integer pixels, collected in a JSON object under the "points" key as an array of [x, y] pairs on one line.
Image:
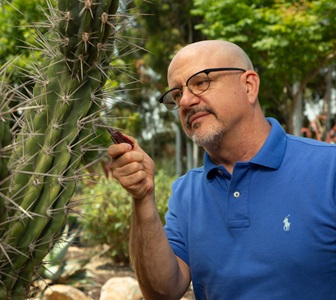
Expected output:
{"points": [[288, 41]]}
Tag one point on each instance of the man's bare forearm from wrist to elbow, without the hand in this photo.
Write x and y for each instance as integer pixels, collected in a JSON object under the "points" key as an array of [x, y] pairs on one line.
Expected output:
{"points": [[154, 261]]}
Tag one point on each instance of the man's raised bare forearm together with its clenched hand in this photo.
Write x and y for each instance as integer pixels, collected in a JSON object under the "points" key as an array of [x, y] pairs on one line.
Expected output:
{"points": [[158, 269]]}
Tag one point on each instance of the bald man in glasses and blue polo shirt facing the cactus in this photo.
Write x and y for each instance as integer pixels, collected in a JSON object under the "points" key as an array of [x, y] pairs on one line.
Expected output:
{"points": [[258, 220]]}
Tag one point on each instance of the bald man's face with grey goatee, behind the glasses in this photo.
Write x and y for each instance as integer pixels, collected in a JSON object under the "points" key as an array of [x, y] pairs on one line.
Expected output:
{"points": [[207, 117]]}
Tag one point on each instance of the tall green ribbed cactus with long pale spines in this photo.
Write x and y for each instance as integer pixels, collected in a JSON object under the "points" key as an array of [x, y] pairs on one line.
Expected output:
{"points": [[39, 177]]}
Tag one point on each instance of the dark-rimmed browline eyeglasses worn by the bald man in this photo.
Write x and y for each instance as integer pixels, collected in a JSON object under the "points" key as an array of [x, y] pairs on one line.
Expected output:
{"points": [[197, 84]]}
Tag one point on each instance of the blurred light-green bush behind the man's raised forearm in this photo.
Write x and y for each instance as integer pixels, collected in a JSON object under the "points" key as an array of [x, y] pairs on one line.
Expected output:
{"points": [[106, 213]]}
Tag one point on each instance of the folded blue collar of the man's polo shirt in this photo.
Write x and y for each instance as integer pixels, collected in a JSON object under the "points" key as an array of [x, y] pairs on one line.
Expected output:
{"points": [[270, 155]]}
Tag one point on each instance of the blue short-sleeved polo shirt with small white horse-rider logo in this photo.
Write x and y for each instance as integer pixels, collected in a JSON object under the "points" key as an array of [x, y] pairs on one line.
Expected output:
{"points": [[268, 231]]}
